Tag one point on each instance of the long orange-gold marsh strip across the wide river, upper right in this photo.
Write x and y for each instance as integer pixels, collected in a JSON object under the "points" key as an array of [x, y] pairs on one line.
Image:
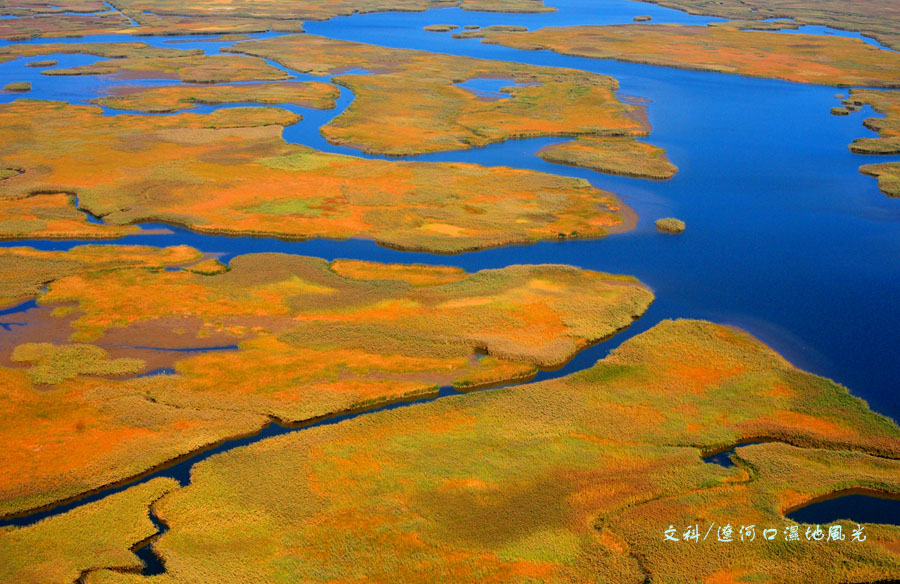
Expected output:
{"points": [[824, 60]]}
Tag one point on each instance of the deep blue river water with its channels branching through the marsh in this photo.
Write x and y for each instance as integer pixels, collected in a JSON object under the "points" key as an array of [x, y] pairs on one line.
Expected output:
{"points": [[784, 239]]}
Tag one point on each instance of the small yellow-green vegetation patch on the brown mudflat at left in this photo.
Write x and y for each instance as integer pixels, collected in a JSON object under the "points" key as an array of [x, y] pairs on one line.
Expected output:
{"points": [[51, 364]]}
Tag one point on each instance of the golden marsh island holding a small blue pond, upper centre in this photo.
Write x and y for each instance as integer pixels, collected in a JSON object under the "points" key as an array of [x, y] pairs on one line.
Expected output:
{"points": [[554, 102]]}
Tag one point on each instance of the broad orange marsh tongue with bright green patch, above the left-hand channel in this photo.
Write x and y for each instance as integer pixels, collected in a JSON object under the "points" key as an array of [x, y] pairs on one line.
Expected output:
{"points": [[226, 173]]}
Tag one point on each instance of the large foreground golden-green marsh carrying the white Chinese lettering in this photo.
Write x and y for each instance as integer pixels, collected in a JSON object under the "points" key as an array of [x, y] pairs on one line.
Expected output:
{"points": [[570, 480]]}
